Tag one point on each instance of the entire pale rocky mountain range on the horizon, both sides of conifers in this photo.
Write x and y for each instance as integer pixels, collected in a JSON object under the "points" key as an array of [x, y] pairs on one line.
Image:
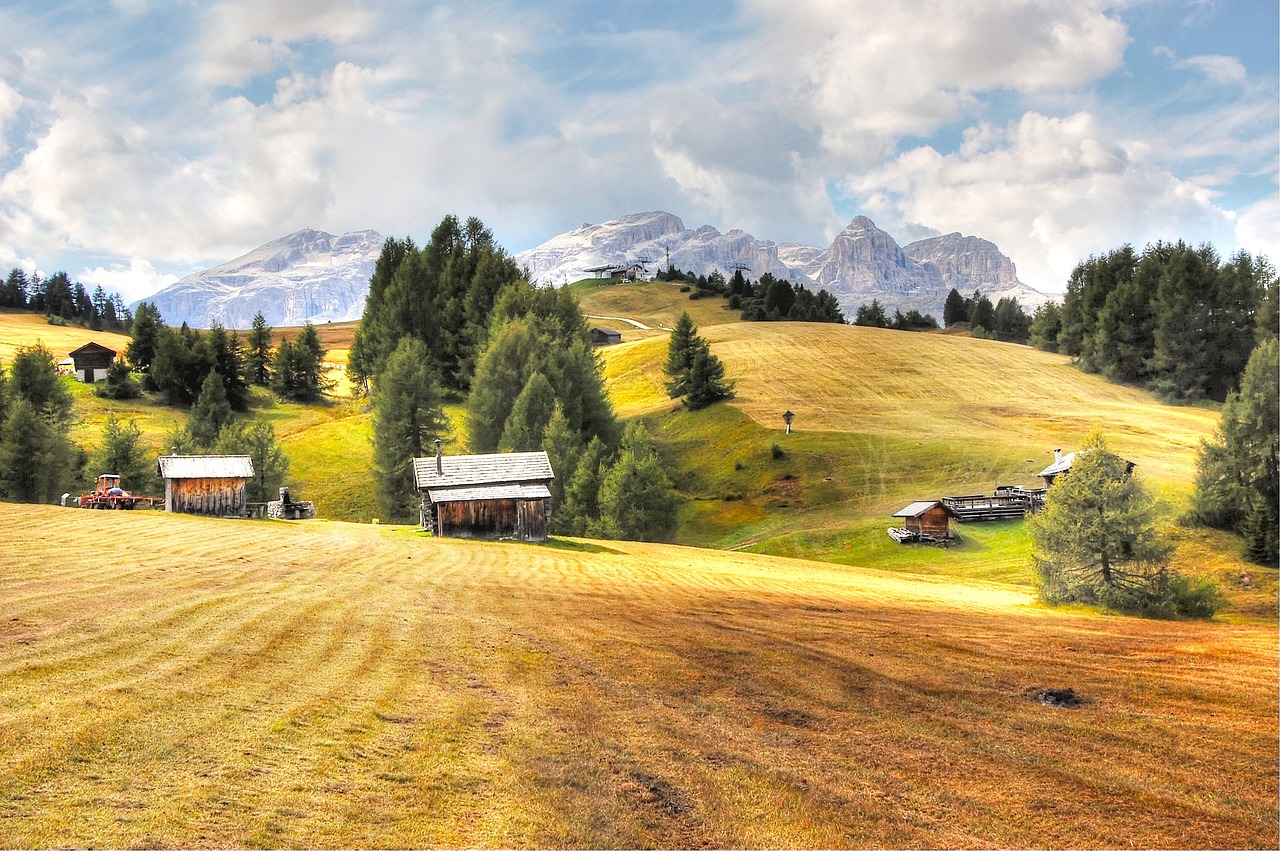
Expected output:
{"points": [[317, 277]]}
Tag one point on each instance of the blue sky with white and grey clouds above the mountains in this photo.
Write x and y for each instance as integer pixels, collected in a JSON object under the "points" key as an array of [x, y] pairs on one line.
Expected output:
{"points": [[145, 140]]}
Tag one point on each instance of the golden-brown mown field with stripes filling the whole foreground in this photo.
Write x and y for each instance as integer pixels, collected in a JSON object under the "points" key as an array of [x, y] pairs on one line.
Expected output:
{"points": [[182, 681]]}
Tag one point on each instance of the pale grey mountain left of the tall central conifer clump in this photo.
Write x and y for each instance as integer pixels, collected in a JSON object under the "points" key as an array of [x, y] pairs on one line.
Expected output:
{"points": [[307, 277]]}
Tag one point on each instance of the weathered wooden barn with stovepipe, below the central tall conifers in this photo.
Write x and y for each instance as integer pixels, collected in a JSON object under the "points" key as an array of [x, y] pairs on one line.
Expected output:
{"points": [[504, 496]]}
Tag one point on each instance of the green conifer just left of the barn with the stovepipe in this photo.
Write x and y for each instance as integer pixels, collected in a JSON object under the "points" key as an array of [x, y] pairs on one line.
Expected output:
{"points": [[408, 419]]}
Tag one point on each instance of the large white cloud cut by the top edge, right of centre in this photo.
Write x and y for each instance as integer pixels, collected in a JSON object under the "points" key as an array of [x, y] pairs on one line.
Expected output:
{"points": [[871, 71]]}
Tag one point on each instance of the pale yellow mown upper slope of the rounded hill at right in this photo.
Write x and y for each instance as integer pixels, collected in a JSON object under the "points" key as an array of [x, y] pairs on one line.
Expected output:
{"points": [[925, 387]]}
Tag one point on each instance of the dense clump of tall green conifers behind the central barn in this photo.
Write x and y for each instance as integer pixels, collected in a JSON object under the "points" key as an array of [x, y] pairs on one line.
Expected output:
{"points": [[456, 322]]}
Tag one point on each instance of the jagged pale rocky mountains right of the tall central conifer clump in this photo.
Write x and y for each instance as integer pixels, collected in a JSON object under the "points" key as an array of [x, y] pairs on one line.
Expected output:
{"points": [[863, 263]]}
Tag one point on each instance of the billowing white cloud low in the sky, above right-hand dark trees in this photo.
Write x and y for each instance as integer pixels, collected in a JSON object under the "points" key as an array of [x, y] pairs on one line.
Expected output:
{"points": [[1048, 191]]}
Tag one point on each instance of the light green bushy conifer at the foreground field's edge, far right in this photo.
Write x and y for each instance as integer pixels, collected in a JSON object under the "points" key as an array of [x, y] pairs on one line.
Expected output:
{"points": [[1096, 541]]}
